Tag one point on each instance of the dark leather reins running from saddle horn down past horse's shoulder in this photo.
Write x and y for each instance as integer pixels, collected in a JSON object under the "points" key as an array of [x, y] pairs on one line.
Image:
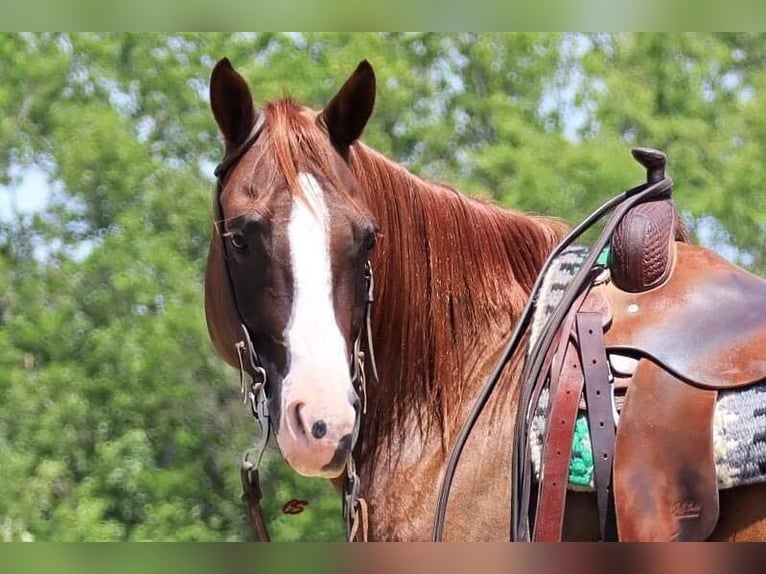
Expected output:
{"points": [[658, 185]]}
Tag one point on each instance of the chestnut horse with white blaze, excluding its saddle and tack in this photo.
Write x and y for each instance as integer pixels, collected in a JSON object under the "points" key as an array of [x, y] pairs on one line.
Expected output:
{"points": [[303, 205]]}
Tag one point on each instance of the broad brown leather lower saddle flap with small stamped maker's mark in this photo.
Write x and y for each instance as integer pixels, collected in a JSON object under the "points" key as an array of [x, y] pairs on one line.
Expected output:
{"points": [[664, 472]]}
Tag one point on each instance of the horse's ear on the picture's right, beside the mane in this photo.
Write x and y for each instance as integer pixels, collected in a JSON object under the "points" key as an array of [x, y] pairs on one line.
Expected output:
{"points": [[348, 111]]}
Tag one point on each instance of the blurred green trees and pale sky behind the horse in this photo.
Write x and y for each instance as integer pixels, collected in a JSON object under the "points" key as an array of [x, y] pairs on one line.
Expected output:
{"points": [[117, 420]]}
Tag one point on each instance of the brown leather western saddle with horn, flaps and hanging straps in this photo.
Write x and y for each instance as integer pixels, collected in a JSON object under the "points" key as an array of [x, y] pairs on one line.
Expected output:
{"points": [[672, 324]]}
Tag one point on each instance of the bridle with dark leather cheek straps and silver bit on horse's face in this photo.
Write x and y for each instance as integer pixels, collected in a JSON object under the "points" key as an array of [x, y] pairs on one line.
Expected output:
{"points": [[354, 507]]}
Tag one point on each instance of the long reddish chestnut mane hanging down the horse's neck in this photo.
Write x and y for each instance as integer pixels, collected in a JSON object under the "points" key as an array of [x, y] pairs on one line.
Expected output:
{"points": [[450, 273]]}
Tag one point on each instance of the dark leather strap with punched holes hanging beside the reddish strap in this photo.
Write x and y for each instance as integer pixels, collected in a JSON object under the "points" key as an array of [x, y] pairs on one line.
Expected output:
{"points": [[598, 398]]}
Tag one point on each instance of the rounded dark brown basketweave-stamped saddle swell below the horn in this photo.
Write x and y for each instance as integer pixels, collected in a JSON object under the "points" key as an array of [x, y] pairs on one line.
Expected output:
{"points": [[643, 246]]}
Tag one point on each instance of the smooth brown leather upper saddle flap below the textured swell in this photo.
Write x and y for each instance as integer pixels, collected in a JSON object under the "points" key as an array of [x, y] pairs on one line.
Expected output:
{"points": [[706, 324]]}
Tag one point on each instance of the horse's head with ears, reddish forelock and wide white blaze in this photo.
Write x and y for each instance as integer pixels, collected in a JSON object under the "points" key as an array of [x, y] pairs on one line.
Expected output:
{"points": [[288, 263]]}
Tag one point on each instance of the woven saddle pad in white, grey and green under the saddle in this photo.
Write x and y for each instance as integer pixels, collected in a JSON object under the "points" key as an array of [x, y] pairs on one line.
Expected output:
{"points": [[739, 420]]}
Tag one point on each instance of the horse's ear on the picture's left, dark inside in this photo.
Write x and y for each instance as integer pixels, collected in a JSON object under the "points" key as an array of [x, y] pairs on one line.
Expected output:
{"points": [[231, 103]]}
